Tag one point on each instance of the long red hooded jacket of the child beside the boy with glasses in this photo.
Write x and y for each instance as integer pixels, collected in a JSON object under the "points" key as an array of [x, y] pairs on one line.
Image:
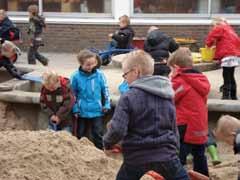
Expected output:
{"points": [[191, 91]]}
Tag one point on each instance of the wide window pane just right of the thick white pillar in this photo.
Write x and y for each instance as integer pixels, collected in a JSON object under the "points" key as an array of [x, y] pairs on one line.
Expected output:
{"points": [[171, 6]]}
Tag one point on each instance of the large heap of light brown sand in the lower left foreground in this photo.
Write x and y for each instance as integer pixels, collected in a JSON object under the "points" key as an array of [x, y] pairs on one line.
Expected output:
{"points": [[41, 155]]}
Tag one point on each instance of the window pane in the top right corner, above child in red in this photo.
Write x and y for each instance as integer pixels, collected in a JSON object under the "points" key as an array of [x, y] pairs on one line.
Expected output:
{"points": [[226, 6]]}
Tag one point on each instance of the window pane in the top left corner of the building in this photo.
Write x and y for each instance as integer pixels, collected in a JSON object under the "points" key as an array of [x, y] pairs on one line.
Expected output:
{"points": [[16, 5]]}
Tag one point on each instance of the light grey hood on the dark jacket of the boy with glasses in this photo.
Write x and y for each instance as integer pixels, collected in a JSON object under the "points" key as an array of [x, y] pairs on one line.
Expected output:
{"points": [[156, 85]]}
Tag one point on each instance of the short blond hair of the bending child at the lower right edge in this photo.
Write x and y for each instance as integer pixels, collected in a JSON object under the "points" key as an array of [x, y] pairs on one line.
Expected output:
{"points": [[227, 125]]}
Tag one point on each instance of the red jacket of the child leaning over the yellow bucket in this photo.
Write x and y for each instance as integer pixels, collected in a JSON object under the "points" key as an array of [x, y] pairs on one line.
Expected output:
{"points": [[226, 40]]}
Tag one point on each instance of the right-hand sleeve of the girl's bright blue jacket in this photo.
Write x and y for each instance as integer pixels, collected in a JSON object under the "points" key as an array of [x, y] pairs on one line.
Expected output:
{"points": [[105, 92]]}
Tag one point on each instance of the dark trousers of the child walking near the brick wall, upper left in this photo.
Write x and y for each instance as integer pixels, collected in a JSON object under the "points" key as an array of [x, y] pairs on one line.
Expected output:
{"points": [[33, 54]]}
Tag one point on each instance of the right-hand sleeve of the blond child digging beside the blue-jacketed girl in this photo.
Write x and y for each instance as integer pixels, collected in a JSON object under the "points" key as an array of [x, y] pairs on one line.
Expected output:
{"points": [[68, 103]]}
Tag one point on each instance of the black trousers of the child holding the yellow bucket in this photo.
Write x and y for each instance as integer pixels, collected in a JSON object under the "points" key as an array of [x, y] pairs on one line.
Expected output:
{"points": [[229, 83]]}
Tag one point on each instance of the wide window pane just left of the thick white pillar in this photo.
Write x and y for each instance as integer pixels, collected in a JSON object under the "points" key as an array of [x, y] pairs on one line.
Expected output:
{"points": [[82, 6]]}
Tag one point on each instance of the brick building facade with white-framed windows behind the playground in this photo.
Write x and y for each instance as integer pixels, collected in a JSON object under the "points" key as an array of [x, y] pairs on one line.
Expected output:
{"points": [[77, 24]]}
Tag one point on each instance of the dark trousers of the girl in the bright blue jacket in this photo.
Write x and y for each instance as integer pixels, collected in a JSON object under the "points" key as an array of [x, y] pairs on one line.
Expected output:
{"points": [[92, 128]]}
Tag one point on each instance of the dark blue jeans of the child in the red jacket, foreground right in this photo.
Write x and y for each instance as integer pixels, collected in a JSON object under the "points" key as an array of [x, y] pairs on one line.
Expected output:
{"points": [[199, 158]]}
